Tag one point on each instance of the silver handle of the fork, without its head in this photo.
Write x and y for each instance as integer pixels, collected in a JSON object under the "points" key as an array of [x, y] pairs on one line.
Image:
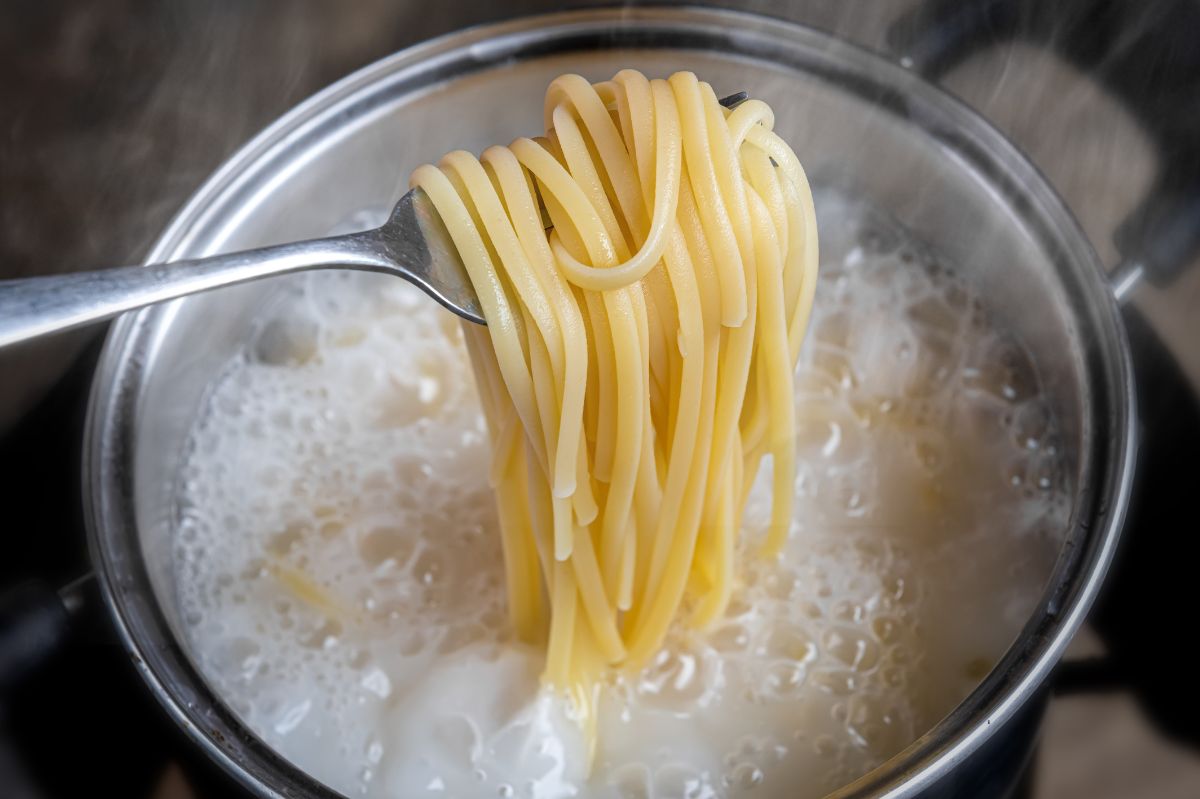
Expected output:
{"points": [[37, 307]]}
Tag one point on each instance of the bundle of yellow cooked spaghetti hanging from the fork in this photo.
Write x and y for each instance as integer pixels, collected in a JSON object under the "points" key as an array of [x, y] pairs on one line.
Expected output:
{"points": [[638, 361]]}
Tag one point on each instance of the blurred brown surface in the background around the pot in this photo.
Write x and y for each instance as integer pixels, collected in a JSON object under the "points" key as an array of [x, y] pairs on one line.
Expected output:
{"points": [[112, 112]]}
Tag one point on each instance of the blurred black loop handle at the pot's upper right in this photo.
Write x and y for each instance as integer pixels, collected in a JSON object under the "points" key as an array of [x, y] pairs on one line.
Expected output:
{"points": [[1144, 53]]}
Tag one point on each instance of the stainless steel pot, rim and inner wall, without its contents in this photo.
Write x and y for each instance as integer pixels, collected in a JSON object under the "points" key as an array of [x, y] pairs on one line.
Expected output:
{"points": [[859, 122]]}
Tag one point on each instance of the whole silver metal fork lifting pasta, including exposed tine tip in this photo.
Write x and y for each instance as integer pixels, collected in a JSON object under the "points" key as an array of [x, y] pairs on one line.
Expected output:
{"points": [[412, 244]]}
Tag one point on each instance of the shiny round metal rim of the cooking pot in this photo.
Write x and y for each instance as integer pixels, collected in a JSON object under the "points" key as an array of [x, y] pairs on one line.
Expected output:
{"points": [[1088, 551]]}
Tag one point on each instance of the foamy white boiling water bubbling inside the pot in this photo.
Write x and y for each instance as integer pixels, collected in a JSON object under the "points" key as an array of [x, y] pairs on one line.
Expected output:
{"points": [[339, 568]]}
